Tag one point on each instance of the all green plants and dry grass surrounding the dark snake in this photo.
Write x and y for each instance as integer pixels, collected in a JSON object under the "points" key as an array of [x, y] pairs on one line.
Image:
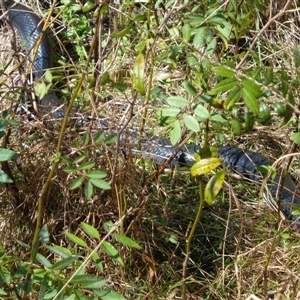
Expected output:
{"points": [[83, 218]]}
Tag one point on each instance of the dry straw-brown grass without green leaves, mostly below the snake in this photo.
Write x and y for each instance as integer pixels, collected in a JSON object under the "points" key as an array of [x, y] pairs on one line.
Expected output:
{"points": [[237, 252]]}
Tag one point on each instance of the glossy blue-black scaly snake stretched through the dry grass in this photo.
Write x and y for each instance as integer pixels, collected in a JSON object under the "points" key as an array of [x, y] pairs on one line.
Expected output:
{"points": [[244, 162]]}
